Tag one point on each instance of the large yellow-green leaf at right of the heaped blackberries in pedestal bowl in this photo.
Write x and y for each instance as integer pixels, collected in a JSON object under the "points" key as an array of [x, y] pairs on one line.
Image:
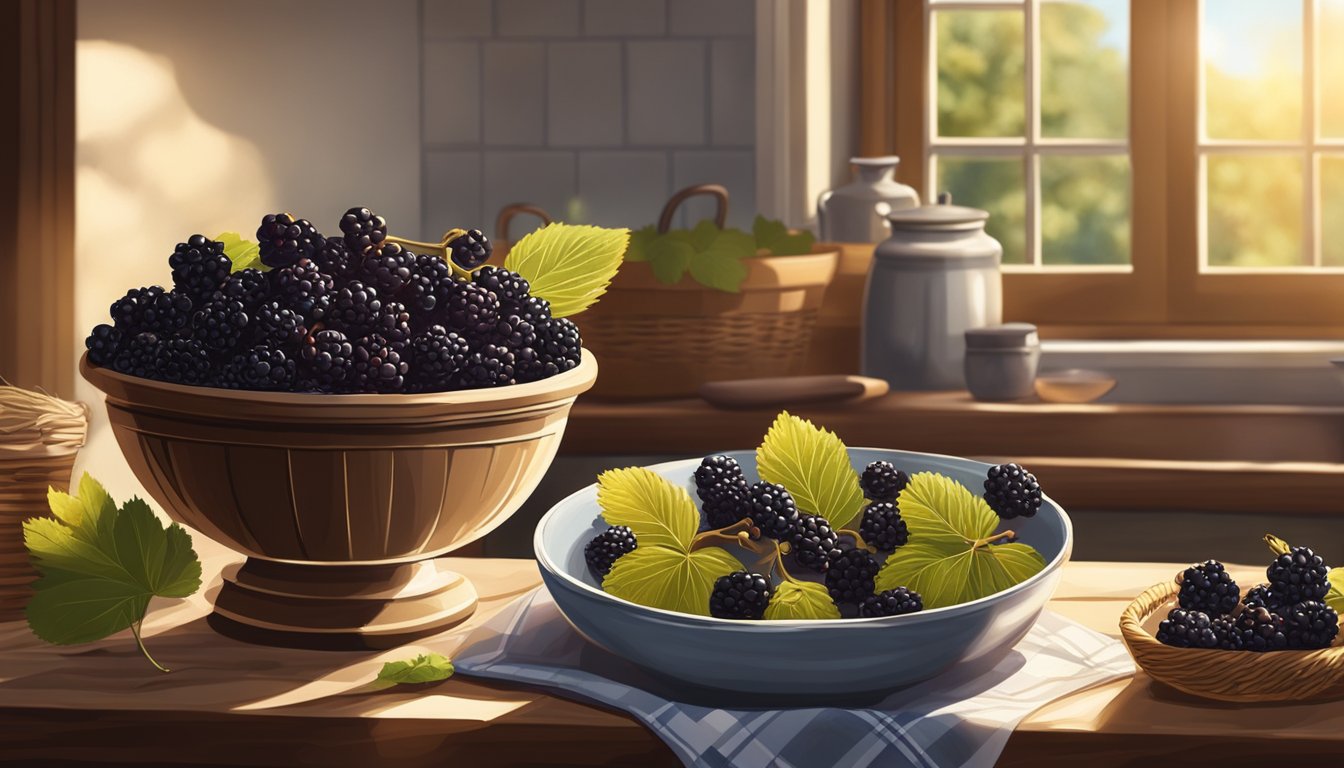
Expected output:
{"points": [[569, 266]]}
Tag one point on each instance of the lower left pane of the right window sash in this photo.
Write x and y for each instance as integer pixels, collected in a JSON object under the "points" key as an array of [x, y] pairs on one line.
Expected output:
{"points": [[1256, 210]]}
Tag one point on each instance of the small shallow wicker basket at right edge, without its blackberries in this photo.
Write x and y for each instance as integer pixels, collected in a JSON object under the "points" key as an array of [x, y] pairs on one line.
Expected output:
{"points": [[1241, 677]]}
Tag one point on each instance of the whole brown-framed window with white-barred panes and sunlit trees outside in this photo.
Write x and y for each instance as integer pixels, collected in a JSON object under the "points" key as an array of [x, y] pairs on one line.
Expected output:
{"points": [[1152, 167]]}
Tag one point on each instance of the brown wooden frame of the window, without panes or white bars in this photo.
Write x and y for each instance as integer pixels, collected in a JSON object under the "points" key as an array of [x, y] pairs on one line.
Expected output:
{"points": [[1167, 294]]}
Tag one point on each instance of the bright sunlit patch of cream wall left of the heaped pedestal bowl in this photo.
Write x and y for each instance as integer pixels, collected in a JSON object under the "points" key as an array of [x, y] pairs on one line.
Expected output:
{"points": [[149, 174]]}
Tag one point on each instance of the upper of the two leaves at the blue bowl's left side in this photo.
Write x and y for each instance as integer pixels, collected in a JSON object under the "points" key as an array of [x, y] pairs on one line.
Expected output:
{"points": [[659, 513]]}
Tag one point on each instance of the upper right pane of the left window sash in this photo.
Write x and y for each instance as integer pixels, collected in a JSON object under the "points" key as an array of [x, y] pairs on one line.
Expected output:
{"points": [[1085, 69]]}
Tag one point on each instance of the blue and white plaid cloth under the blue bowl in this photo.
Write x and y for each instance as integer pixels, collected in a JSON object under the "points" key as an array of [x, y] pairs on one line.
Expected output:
{"points": [[962, 719]]}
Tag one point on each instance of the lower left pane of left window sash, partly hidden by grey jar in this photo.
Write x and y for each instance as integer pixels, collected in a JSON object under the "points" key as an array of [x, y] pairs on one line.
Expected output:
{"points": [[997, 185]]}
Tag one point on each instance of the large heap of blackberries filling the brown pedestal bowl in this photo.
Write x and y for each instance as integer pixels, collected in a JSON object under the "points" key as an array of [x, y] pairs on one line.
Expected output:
{"points": [[347, 314]]}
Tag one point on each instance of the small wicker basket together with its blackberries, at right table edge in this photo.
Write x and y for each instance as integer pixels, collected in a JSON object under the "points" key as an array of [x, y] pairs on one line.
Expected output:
{"points": [[1276, 641]]}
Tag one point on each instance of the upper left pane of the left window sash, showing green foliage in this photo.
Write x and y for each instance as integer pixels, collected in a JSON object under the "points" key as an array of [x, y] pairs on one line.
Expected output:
{"points": [[980, 73]]}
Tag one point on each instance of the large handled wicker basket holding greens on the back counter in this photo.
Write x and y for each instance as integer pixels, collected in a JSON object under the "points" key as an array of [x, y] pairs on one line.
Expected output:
{"points": [[661, 341]]}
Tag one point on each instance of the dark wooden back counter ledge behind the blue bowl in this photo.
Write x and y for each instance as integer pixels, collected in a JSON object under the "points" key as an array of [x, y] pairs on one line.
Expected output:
{"points": [[1229, 458]]}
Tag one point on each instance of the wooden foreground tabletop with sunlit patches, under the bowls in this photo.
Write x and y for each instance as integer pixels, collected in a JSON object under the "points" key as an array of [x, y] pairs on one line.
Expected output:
{"points": [[233, 704]]}
